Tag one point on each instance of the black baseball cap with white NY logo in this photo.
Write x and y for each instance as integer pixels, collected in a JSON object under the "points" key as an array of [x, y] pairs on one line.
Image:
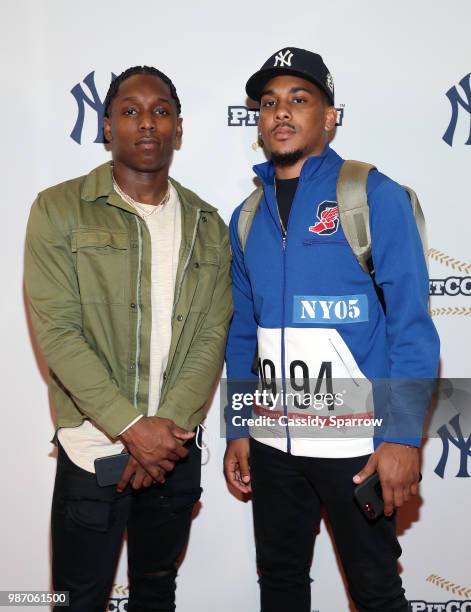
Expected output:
{"points": [[291, 60]]}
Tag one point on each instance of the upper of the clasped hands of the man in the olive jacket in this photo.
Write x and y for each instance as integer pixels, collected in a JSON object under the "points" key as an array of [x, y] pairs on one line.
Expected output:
{"points": [[154, 442]]}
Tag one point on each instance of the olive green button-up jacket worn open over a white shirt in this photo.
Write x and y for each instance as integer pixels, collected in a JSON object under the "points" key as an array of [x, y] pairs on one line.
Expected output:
{"points": [[88, 281]]}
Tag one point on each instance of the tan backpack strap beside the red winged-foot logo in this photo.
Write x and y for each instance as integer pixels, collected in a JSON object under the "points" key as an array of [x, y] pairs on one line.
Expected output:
{"points": [[353, 209]]}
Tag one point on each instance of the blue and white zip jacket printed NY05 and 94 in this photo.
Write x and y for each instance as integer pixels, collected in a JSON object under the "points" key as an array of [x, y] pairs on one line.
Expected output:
{"points": [[304, 307]]}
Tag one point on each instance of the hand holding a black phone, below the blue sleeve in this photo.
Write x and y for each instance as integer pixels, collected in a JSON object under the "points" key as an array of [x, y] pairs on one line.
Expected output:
{"points": [[398, 470]]}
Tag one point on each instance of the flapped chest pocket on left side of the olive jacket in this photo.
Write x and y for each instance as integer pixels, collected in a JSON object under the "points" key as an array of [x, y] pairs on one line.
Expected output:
{"points": [[102, 265]]}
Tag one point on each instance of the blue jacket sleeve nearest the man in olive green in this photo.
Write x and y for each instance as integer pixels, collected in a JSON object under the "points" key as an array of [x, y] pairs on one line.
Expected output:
{"points": [[242, 340]]}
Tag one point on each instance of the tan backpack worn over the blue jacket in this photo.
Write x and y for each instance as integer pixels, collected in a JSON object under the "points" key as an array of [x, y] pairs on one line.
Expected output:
{"points": [[353, 212]]}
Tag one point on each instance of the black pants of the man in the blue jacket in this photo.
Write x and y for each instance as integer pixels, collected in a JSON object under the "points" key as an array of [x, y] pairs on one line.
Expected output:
{"points": [[288, 493]]}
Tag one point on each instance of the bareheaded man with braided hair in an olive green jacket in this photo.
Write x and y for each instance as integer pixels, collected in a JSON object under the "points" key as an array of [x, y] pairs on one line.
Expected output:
{"points": [[127, 276]]}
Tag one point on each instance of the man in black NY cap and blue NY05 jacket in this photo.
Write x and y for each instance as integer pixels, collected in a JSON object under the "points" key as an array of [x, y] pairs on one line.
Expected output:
{"points": [[304, 309]]}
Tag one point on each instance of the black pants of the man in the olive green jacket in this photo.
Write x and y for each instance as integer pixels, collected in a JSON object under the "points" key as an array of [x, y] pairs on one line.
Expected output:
{"points": [[88, 524]]}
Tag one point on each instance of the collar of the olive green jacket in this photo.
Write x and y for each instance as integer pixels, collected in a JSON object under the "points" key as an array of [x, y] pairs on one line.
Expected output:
{"points": [[99, 183]]}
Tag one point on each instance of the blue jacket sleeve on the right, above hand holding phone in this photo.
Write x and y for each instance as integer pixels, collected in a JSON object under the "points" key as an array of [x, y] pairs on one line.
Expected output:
{"points": [[413, 343]]}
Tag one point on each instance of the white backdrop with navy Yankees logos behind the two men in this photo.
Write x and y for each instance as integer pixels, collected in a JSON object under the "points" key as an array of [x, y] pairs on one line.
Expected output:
{"points": [[402, 76]]}
